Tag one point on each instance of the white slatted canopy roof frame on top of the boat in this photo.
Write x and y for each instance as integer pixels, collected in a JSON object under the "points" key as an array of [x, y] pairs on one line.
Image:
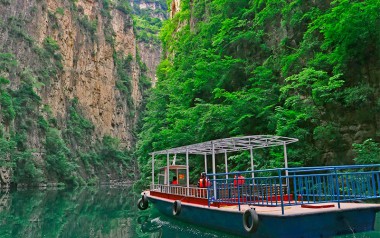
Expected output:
{"points": [[229, 145]]}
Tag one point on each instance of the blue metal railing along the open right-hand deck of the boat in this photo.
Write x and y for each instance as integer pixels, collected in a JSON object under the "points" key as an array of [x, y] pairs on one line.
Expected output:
{"points": [[296, 186]]}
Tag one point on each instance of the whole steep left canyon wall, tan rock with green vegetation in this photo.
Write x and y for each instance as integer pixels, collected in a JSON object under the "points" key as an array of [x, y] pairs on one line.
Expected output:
{"points": [[86, 71]]}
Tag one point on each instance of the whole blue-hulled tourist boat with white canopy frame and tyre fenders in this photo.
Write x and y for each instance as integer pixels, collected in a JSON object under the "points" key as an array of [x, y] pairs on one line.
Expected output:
{"points": [[280, 202]]}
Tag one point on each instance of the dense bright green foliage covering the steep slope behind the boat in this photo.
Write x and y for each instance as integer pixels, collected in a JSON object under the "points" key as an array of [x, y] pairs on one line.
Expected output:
{"points": [[294, 68]]}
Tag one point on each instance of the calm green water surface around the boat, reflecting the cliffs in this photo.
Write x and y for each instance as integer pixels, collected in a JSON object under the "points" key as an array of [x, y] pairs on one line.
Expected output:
{"points": [[95, 212]]}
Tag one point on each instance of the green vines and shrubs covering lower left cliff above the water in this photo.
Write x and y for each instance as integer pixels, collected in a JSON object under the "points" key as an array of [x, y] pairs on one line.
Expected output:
{"points": [[66, 149]]}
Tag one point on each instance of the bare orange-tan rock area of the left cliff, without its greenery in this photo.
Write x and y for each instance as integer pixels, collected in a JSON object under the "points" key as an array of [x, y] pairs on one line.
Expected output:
{"points": [[89, 72]]}
